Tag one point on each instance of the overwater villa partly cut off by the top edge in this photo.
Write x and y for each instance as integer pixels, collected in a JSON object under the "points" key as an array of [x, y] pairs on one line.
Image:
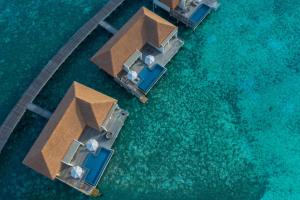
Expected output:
{"points": [[189, 12]]}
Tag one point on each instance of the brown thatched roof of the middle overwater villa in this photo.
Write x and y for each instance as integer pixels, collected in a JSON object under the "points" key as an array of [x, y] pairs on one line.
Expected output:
{"points": [[144, 27]]}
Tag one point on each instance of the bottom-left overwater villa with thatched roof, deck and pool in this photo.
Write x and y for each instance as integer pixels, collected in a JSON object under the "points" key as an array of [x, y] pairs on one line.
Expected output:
{"points": [[75, 145]]}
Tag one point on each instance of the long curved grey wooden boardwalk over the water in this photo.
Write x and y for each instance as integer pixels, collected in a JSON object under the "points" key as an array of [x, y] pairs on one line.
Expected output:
{"points": [[53, 65]]}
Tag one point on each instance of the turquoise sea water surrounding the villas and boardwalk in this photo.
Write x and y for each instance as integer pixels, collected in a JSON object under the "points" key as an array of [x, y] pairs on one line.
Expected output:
{"points": [[223, 123]]}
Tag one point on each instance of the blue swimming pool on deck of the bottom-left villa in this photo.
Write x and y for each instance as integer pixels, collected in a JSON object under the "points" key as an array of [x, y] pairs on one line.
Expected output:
{"points": [[96, 164]]}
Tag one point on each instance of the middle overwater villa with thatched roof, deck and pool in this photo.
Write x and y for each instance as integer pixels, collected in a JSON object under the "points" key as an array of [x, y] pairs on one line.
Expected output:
{"points": [[137, 54]]}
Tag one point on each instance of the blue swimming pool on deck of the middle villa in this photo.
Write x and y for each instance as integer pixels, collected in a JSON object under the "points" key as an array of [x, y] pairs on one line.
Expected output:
{"points": [[148, 77]]}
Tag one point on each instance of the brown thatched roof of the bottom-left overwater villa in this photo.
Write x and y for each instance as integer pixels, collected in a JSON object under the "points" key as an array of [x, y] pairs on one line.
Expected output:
{"points": [[80, 107]]}
